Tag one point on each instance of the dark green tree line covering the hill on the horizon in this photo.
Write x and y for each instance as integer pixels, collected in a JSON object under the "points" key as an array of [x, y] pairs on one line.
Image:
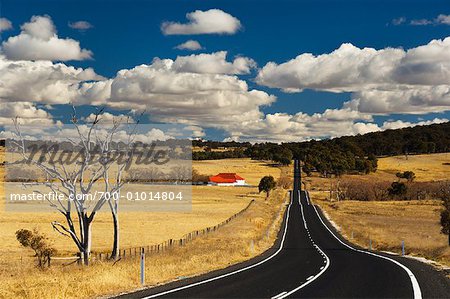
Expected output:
{"points": [[347, 154]]}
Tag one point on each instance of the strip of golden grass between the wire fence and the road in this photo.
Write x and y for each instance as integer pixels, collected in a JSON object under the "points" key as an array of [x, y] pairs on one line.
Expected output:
{"points": [[230, 244]]}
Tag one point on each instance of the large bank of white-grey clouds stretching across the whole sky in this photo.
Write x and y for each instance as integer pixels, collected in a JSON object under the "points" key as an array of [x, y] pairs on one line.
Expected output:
{"points": [[203, 90]]}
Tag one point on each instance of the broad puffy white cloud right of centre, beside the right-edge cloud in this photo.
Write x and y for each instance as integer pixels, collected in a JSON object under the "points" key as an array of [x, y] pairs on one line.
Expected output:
{"points": [[346, 69]]}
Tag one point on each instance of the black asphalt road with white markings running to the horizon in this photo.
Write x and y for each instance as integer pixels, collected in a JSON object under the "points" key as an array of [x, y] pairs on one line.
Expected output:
{"points": [[309, 260]]}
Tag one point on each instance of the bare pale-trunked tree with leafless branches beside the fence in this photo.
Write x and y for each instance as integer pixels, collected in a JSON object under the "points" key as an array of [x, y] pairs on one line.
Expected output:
{"points": [[77, 183]]}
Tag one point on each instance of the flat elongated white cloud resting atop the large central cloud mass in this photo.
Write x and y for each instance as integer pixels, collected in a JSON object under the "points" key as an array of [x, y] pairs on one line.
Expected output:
{"points": [[214, 63]]}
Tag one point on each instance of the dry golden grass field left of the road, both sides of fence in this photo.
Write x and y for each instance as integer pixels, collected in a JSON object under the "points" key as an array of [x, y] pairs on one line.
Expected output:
{"points": [[210, 206]]}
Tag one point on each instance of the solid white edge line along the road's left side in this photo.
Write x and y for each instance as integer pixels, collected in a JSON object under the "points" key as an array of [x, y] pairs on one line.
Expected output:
{"points": [[231, 273]]}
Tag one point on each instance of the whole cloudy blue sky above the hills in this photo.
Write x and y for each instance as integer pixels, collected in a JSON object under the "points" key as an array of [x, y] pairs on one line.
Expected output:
{"points": [[229, 70]]}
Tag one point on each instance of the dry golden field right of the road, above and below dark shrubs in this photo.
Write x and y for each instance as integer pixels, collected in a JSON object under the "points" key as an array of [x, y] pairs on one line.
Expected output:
{"points": [[387, 223]]}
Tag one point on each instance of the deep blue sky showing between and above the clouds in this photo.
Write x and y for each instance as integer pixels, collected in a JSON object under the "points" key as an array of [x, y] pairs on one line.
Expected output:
{"points": [[126, 34]]}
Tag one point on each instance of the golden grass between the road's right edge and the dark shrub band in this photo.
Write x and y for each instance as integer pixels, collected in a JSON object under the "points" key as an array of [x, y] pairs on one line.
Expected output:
{"points": [[387, 223]]}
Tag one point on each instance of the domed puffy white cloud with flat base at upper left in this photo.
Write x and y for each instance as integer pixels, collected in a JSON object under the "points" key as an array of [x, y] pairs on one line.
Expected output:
{"points": [[38, 40]]}
